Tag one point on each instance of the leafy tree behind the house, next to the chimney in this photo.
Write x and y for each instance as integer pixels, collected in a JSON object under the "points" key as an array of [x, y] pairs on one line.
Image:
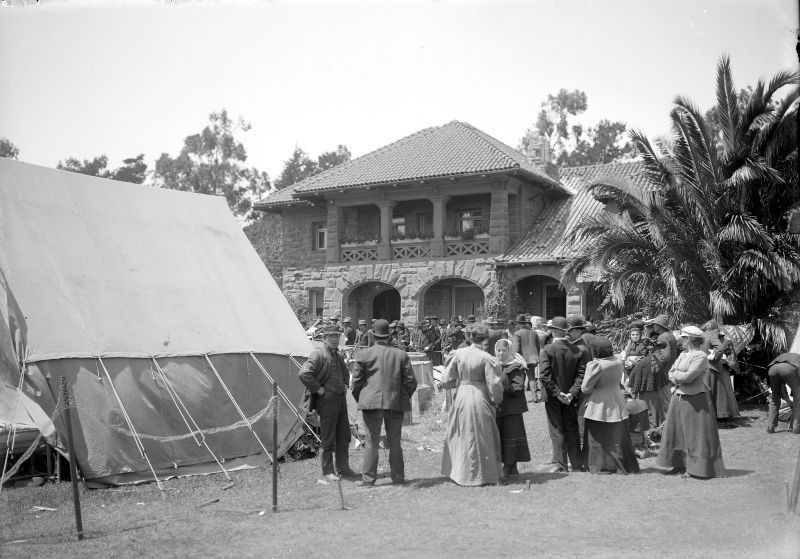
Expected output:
{"points": [[569, 143]]}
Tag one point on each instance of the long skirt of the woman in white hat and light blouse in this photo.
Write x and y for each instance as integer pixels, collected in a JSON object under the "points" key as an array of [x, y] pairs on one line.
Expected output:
{"points": [[690, 439]]}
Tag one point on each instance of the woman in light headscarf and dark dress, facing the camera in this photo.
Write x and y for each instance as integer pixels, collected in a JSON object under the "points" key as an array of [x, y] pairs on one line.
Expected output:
{"points": [[513, 439]]}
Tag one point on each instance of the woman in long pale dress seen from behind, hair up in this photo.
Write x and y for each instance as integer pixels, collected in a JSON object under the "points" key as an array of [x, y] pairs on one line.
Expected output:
{"points": [[472, 442]]}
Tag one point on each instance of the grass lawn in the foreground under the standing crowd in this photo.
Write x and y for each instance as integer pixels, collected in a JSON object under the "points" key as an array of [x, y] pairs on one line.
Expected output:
{"points": [[561, 515]]}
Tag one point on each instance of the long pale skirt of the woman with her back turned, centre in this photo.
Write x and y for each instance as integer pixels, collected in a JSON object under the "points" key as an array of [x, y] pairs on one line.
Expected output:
{"points": [[472, 444]]}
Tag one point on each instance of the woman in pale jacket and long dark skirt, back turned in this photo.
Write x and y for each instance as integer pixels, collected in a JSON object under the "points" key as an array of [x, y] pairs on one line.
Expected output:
{"points": [[607, 444]]}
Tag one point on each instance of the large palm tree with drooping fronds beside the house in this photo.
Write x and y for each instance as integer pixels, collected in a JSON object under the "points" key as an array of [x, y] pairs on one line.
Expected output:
{"points": [[707, 234]]}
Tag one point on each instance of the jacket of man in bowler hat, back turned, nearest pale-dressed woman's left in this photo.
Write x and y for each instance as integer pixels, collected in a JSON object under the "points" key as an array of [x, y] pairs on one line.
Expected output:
{"points": [[383, 378]]}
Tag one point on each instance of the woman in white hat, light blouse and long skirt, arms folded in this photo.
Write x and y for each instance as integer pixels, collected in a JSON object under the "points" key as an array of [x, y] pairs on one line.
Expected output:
{"points": [[690, 442]]}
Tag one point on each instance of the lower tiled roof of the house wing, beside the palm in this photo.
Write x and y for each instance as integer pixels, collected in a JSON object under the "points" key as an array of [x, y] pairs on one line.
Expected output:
{"points": [[544, 242]]}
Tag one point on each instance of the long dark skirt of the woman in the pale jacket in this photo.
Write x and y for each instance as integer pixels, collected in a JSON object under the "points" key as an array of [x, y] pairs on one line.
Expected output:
{"points": [[607, 447]]}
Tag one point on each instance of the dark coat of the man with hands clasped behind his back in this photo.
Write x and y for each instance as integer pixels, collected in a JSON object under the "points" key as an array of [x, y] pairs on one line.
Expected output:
{"points": [[561, 369]]}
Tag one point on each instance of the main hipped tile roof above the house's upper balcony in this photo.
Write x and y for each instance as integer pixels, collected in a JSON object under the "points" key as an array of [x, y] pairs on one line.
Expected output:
{"points": [[454, 149]]}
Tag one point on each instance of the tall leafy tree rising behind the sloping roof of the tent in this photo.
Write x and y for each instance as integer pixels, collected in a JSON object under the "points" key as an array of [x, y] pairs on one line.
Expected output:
{"points": [[212, 162]]}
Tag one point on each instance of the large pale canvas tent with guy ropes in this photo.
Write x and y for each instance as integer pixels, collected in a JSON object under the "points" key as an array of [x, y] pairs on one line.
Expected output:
{"points": [[159, 313]]}
